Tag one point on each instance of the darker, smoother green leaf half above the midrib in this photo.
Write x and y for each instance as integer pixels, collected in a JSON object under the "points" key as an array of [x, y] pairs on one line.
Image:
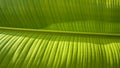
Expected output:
{"points": [[102, 16]]}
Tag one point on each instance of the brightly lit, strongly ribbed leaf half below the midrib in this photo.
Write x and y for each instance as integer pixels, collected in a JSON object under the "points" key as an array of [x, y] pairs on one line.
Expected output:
{"points": [[51, 50]]}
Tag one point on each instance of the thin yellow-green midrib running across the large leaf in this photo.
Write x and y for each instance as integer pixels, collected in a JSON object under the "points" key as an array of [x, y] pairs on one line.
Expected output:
{"points": [[58, 31]]}
